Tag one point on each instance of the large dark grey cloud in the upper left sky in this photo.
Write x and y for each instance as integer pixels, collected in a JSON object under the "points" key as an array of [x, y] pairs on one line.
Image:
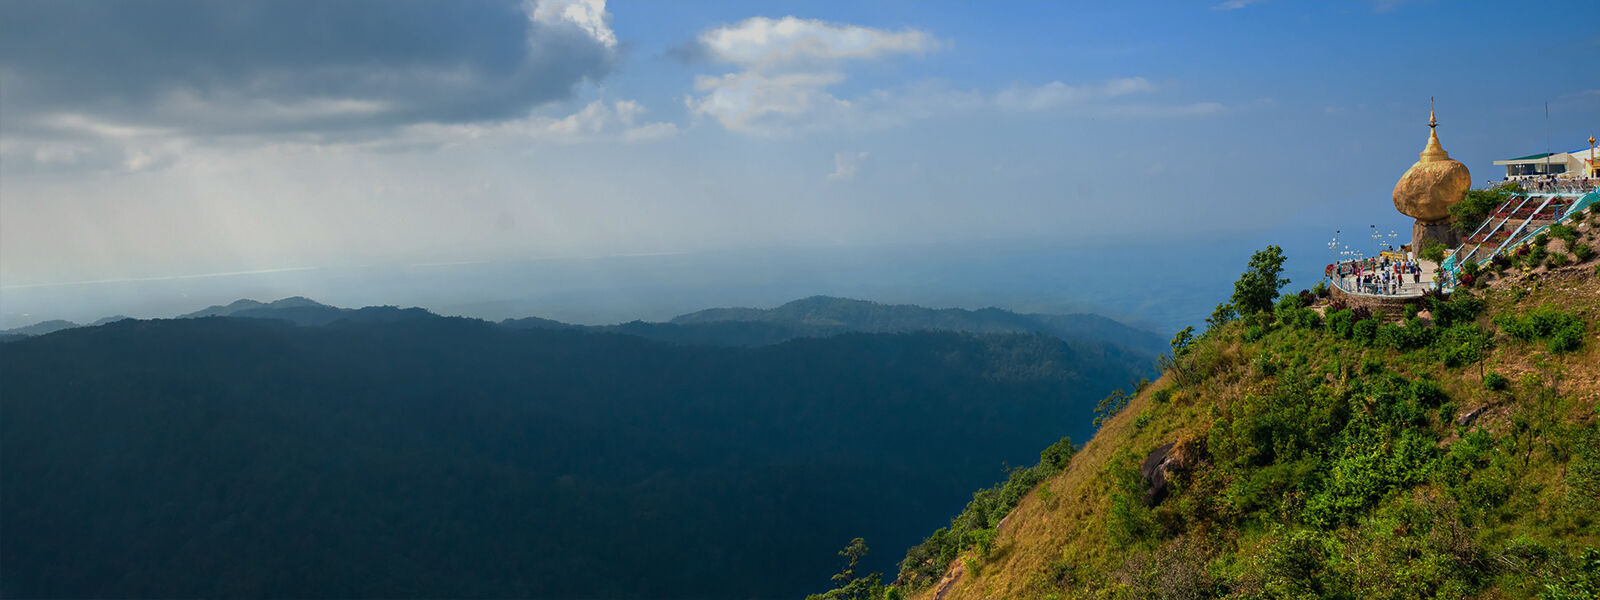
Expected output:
{"points": [[222, 68]]}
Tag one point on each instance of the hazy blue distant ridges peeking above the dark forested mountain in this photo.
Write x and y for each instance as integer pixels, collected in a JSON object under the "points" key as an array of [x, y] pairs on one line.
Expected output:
{"points": [[810, 318]]}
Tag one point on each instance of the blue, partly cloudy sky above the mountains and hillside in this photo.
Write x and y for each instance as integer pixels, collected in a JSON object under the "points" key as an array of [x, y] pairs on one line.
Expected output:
{"points": [[186, 142]]}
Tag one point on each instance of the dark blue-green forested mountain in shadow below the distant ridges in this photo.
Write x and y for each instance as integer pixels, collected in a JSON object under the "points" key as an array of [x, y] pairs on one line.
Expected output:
{"points": [[396, 454]]}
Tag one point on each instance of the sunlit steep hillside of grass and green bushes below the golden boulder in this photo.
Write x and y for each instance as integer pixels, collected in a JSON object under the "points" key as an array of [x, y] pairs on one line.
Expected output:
{"points": [[1313, 454]]}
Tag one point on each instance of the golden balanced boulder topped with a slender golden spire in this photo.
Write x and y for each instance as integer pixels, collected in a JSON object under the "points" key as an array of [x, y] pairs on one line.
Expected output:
{"points": [[1430, 188]]}
